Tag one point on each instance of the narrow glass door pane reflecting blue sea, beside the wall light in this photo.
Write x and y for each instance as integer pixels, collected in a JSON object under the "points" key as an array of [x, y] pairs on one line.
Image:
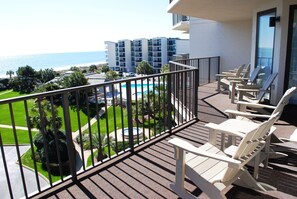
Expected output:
{"points": [[265, 44]]}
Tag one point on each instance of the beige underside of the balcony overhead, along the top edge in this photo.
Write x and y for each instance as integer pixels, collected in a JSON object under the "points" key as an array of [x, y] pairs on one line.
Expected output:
{"points": [[217, 10]]}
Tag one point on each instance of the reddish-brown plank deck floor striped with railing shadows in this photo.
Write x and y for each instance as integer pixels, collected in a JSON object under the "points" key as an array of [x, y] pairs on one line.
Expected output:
{"points": [[149, 172]]}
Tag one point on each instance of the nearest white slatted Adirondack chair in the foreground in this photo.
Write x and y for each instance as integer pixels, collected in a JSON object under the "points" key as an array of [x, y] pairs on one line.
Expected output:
{"points": [[212, 169]]}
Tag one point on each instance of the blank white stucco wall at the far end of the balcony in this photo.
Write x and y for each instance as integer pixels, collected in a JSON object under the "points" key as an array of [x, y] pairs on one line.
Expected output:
{"points": [[229, 40]]}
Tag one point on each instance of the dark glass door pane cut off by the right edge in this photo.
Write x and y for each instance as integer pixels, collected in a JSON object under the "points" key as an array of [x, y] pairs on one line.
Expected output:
{"points": [[291, 69]]}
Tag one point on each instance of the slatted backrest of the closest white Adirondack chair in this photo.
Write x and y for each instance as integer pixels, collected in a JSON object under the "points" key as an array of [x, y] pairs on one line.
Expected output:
{"points": [[250, 145]]}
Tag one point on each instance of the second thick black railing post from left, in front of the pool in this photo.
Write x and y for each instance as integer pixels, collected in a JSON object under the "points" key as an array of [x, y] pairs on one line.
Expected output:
{"points": [[129, 116]]}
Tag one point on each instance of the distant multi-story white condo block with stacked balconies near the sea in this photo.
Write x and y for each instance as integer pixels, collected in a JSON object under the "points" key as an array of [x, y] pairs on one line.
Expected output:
{"points": [[157, 51]]}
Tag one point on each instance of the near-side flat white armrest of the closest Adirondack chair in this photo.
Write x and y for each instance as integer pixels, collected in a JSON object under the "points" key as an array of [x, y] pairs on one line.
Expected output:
{"points": [[181, 144]]}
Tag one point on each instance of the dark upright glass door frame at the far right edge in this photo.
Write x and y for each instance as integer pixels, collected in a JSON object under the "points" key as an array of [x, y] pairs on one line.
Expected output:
{"points": [[289, 46]]}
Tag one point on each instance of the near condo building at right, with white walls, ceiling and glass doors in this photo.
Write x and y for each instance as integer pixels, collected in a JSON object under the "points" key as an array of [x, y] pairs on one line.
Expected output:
{"points": [[262, 33]]}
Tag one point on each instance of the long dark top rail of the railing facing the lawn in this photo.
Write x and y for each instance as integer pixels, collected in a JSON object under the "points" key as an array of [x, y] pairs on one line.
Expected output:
{"points": [[85, 87]]}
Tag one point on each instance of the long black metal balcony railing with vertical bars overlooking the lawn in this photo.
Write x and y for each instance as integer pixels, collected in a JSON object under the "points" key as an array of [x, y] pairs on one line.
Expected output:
{"points": [[68, 131]]}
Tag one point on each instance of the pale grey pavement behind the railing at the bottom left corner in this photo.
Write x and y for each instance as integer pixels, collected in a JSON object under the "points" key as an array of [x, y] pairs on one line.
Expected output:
{"points": [[15, 174]]}
